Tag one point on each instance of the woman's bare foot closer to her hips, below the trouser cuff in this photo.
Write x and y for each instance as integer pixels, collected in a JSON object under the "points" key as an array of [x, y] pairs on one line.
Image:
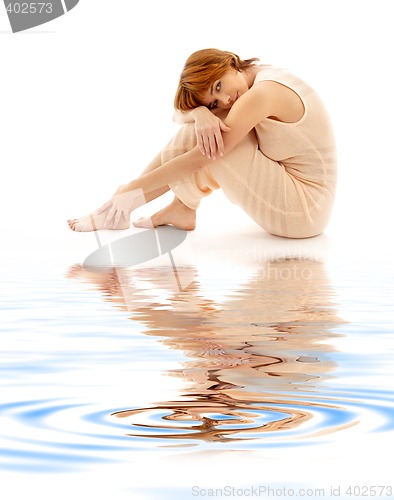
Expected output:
{"points": [[175, 214]]}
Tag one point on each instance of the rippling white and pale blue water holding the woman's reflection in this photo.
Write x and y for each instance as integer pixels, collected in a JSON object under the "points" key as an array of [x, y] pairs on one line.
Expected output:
{"points": [[256, 366]]}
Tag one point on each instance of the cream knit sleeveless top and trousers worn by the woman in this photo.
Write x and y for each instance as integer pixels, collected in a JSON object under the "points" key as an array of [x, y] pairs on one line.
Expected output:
{"points": [[282, 174]]}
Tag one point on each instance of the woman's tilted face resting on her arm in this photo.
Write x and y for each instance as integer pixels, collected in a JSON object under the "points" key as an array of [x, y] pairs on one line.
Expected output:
{"points": [[225, 91]]}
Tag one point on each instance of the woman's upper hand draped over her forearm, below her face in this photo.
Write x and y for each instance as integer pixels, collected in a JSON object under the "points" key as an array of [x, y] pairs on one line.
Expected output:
{"points": [[209, 130]]}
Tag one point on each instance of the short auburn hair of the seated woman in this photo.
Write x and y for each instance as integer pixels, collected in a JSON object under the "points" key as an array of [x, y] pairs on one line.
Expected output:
{"points": [[201, 69]]}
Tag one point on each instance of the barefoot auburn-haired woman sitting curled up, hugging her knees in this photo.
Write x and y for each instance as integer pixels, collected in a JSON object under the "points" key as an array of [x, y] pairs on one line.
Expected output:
{"points": [[258, 132]]}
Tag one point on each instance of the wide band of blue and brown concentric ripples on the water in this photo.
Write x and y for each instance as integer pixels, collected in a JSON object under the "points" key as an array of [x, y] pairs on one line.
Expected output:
{"points": [[59, 435]]}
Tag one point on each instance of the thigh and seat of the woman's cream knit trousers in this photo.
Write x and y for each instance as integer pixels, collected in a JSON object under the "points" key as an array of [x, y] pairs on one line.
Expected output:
{"points": [[276, 200]]}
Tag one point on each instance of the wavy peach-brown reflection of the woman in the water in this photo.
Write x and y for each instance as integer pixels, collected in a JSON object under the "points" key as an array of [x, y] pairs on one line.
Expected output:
{"points": [[256, 357]]}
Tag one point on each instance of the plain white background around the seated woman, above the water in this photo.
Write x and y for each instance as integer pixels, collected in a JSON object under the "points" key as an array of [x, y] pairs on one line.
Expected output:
{"points": [[87, 102]]}
